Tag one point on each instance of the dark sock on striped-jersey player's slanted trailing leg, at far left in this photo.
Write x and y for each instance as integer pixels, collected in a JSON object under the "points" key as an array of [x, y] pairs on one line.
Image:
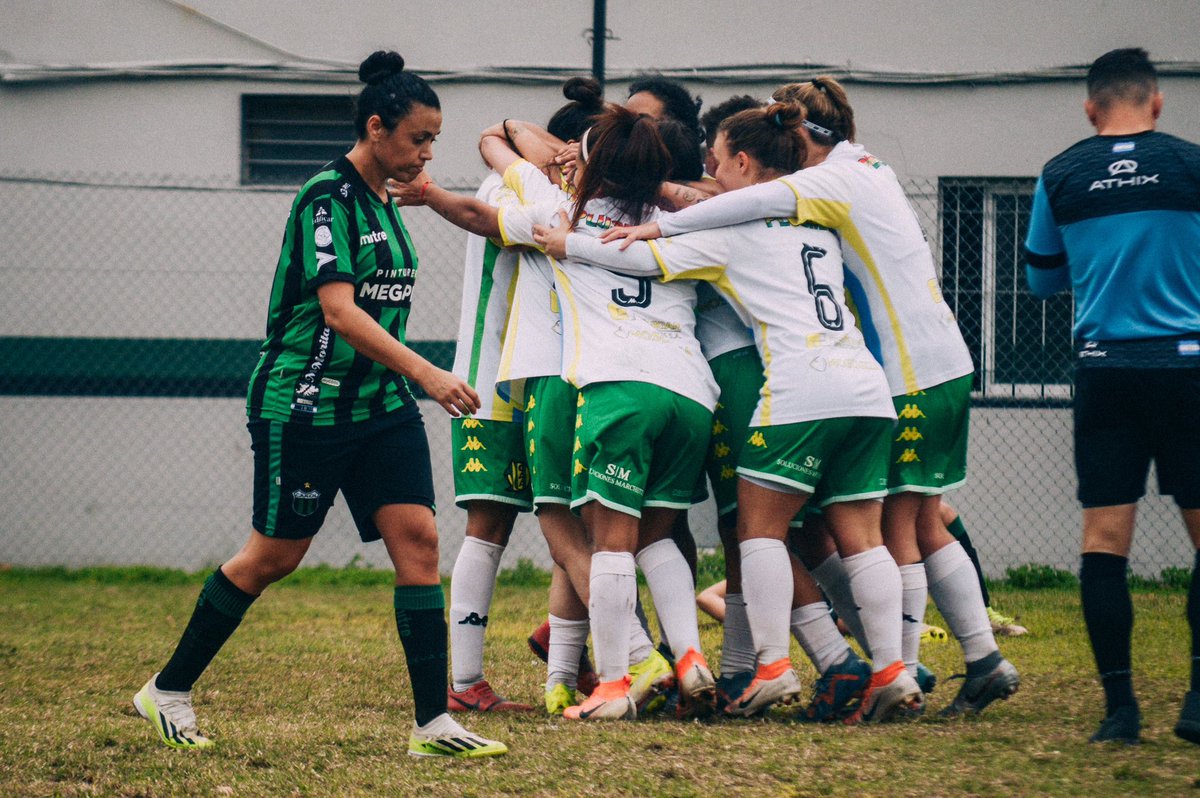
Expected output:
{"points": [[218, 613]]}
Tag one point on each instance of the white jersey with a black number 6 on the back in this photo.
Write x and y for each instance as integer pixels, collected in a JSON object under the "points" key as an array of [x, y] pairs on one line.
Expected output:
{"points": [[785, 281]]}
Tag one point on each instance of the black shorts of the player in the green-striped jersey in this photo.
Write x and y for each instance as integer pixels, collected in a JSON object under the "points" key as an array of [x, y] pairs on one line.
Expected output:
{"points": [[301, 469]]}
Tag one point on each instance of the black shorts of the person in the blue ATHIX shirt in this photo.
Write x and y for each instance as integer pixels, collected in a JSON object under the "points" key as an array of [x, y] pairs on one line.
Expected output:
{"points": [[1127, 417]]}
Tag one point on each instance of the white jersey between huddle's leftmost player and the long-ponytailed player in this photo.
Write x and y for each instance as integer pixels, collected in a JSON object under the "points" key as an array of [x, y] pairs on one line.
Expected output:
{"points": [[533, 344]]}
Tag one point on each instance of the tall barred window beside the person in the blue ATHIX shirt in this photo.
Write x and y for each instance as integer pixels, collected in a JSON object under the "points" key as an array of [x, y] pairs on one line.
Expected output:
{"points": [[1022, 346]]}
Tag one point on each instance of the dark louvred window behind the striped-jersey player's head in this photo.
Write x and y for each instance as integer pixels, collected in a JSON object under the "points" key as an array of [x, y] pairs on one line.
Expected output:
{"points": [[289, 139]]}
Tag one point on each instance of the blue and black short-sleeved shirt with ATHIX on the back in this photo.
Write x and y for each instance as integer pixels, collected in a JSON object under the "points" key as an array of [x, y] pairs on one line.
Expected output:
{"points": [[1120, 217]]}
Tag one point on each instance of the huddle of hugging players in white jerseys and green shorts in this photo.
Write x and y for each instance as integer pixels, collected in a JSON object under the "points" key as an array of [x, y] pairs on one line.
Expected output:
{"points": [[787, 338]]}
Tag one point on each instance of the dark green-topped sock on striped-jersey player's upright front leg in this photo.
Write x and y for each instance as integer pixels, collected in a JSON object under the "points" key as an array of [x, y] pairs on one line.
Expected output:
{"points": [[422, 623]]}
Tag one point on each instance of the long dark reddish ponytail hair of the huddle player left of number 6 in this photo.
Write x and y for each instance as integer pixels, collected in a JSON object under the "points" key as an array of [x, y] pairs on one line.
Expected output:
{"points": [[626, 163]]}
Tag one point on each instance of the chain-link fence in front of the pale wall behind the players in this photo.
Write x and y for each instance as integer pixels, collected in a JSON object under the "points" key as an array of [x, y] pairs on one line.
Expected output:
{"points": [[134, 308]]}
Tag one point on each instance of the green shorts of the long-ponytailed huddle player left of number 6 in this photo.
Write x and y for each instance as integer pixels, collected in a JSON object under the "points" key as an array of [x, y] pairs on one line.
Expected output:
{"points": [[638, 446]]}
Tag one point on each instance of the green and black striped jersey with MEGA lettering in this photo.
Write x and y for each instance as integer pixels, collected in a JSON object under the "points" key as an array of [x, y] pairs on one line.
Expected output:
{"points": [[339, 232]]}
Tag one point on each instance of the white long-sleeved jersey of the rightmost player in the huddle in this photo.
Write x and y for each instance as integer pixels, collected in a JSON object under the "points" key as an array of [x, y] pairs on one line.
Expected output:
{"points": [[893, 281]]}
